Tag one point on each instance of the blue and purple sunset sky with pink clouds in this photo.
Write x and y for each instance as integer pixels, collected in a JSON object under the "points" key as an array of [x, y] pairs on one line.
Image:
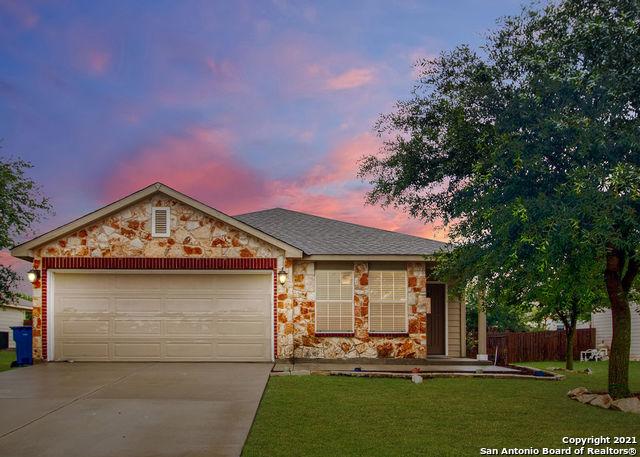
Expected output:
{"points": [[243, 105]]}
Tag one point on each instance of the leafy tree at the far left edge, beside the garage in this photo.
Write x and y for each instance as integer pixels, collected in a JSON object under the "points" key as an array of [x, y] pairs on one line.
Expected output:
{"points": [[21, 204]]}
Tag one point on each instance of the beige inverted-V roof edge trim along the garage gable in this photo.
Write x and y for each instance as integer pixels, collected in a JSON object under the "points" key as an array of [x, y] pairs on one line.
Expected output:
{"points": [[25, 250]]}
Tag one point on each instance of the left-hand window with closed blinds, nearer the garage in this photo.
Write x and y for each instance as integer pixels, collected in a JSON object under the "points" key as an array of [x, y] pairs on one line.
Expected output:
{"points": [[334, 301]]}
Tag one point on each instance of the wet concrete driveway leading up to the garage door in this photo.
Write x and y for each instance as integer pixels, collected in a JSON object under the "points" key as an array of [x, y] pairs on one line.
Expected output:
{"points": [[129, 409]]}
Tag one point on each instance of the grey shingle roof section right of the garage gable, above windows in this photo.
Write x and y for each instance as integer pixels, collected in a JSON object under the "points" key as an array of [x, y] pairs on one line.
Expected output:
{"points": [[321, 236]]}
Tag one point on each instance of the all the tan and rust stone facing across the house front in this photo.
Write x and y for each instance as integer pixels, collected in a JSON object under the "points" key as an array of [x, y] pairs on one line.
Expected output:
{"points": [[127, 234]]}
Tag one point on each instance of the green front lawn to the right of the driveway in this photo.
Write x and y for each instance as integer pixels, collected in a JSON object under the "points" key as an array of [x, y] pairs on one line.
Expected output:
{"points": [[338, 416]]}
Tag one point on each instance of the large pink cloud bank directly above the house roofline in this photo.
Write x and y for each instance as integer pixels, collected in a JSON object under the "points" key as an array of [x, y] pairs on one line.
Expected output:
{"points": [[201, 163]]}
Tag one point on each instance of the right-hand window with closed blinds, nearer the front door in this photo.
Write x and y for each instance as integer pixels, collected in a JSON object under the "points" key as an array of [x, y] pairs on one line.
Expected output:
{"points": [[387, 301]]}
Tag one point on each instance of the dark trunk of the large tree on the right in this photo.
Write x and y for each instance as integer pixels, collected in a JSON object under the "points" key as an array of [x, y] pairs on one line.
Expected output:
{"points": [[621, 323]]}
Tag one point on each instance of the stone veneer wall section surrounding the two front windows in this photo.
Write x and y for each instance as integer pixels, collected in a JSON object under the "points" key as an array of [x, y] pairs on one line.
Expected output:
{"points": [[296, 315]]}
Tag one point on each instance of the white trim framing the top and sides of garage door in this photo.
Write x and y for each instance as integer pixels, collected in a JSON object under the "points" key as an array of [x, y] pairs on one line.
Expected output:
{"points": [[51, 295]]}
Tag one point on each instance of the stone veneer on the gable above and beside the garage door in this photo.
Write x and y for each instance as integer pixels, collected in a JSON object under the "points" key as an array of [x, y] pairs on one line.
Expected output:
{"points": [[128, 234]]}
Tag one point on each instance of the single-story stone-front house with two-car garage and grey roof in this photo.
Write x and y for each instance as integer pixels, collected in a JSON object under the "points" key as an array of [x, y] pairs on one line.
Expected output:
{"points": [[158, 275]]}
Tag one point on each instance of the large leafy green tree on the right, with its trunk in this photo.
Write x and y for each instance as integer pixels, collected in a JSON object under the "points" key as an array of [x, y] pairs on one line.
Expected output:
{"points": [[539, 129]]}
